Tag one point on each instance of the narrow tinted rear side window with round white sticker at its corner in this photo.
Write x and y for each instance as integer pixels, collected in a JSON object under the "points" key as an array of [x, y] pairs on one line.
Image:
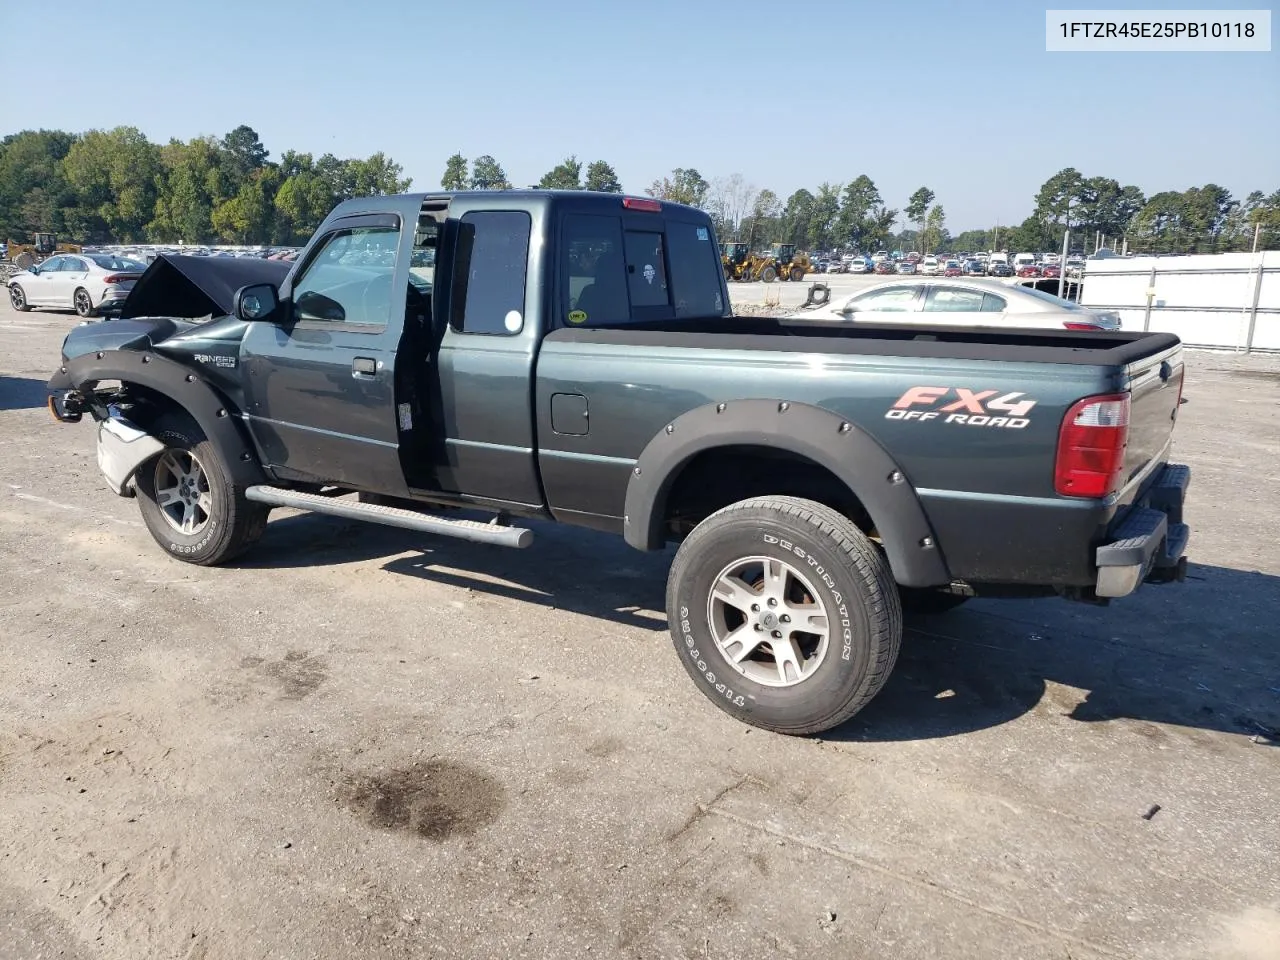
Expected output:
{"points": [[496, 282]]}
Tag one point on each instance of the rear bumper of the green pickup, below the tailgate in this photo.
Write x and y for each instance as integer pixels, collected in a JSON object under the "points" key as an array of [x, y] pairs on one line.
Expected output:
{"points": [[1149, 542]]}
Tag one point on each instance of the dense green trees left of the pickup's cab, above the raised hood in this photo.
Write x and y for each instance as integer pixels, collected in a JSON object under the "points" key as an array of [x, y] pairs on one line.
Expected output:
{"points": [[117, 186]]}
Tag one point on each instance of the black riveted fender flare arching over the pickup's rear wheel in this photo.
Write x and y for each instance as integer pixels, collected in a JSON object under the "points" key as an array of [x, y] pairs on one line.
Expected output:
{"points": [[826, 438]]}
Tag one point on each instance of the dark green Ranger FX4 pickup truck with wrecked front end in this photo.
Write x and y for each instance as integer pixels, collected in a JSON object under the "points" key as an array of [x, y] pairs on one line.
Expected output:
{"points": [[574, 358]]}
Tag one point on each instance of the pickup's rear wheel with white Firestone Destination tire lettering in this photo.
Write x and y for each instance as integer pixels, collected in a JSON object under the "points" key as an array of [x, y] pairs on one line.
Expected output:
{"points": [[784, 614]]}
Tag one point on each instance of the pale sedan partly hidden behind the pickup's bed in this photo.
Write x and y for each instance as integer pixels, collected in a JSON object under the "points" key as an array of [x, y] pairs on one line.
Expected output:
{"points": [[956, 303]]}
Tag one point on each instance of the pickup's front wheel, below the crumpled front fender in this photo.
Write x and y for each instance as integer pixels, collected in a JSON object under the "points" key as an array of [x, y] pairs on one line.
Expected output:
{"points": [[189, 501]]}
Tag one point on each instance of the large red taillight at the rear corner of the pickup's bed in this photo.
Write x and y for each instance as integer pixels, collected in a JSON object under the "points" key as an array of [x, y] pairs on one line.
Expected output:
{"points": [[1091, 447]]}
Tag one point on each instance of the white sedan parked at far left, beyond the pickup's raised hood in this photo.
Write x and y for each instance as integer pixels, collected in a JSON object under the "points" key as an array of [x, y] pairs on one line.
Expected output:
{"points": [[86, 284]]}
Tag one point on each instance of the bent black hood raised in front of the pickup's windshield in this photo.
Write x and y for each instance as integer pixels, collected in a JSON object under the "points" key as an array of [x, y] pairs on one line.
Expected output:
{"points": [[198, 287]]}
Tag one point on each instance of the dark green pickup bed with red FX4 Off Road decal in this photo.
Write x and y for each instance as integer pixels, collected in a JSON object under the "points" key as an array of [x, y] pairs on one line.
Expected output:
{"points": [[989, 491]]}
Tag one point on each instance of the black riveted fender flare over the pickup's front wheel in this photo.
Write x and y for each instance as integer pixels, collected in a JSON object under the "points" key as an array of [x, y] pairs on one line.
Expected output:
{"points": [[182, 386]]}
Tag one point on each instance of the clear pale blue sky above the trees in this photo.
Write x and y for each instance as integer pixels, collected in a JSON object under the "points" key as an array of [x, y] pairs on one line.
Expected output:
{"points": [[961, 98]]}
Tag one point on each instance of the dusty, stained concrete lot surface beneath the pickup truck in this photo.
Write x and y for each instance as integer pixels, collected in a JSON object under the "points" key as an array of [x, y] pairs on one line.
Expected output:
{"points": [[363, 743]]}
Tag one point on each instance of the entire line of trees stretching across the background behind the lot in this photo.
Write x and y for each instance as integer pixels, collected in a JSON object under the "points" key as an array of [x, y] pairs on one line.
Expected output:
{"points": [[116, 185]]}
